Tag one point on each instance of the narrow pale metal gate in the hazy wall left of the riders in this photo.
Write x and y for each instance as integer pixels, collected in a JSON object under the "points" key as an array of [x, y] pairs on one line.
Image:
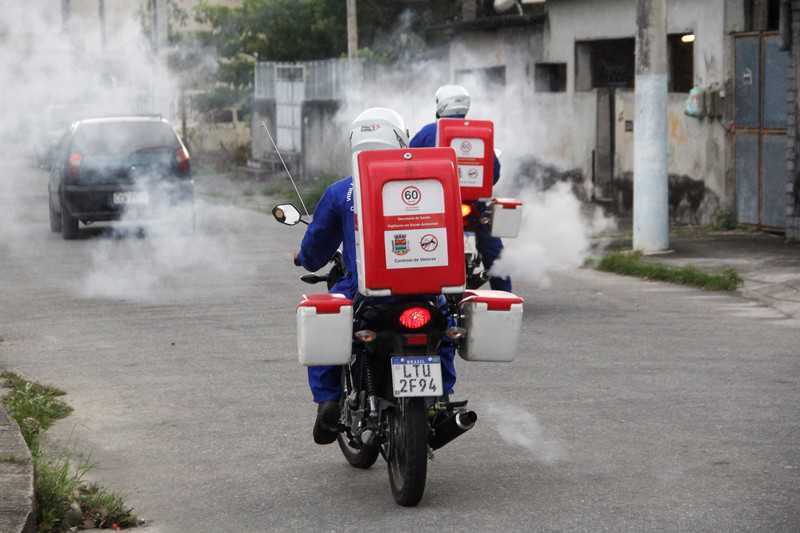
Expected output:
{"points": [[289, 96]]}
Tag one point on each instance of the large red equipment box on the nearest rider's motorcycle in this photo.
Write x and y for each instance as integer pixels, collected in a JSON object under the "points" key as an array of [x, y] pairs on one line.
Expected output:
{"points": [[409, 231]]}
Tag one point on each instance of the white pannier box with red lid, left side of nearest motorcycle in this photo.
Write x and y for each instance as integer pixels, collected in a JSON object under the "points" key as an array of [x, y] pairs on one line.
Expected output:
{"points": [[324, 329]]}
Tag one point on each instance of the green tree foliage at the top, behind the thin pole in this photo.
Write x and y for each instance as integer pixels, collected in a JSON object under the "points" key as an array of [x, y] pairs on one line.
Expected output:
{"points": [[301, 30]]}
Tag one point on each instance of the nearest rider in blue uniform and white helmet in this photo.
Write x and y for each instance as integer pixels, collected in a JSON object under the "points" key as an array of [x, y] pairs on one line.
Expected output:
{"points": [[331, 227]]}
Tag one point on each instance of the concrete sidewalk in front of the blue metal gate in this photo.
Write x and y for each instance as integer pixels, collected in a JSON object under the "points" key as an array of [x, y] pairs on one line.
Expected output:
{"points": [[769, 266]]}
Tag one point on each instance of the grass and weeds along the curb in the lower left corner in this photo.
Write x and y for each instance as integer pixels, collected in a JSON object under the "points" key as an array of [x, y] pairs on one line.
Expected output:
{"points": [[64, 499]]}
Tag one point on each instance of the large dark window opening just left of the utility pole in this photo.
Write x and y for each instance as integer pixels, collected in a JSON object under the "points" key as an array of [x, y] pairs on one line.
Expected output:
{"points": [[608, 63]]}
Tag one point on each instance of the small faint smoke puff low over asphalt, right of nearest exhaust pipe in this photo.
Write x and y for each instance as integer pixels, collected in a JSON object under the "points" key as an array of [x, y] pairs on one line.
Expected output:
{"points": [[522, 429]]}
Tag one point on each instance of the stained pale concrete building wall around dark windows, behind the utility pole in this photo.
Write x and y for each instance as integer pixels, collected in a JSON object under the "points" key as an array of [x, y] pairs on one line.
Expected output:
{"points": [[564, 125]]}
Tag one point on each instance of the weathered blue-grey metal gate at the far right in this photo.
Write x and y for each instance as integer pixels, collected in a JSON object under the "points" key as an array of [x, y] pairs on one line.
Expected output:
{"points": [[760, 127]]}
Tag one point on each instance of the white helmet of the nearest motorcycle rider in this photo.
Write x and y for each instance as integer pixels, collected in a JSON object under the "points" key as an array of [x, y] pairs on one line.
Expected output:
{"points": [[378, 128]]}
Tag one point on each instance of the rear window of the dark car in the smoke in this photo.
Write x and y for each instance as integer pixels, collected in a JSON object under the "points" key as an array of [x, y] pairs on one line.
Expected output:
{"points": [[122, 138]]}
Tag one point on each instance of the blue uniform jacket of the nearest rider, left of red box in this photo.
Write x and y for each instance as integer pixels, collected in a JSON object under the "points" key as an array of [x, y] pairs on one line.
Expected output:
{"points": [[332, 226]]}
